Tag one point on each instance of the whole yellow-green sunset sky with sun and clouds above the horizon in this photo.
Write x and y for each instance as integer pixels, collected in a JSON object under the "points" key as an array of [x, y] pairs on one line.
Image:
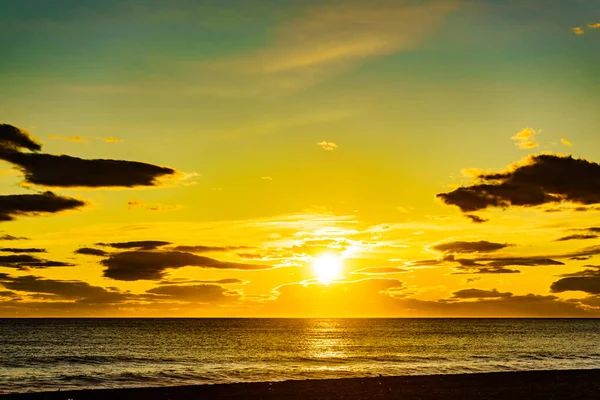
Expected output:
{"points": [[288, 158]]}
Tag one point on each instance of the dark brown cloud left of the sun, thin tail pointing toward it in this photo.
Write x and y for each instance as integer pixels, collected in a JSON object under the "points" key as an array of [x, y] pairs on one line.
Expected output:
{"points": [[151, 265]]}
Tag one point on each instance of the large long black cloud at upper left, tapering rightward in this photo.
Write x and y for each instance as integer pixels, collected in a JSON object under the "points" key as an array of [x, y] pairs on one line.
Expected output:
{"points": [[67, 171]]}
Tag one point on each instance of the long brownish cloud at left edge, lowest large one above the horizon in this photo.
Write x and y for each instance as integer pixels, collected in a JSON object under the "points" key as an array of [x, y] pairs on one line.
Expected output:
{"points": [[63, 290]]}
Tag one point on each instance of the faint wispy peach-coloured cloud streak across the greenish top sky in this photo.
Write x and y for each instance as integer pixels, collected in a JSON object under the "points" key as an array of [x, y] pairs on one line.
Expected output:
{"points": [[325, 39]]}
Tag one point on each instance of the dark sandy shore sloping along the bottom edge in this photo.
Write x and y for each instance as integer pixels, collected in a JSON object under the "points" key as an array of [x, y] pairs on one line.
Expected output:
{"points": [[546, 385]]}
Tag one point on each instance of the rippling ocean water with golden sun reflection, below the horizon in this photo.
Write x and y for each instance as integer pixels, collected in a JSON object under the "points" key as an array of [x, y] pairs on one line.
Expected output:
{"points": [[51, 354]]}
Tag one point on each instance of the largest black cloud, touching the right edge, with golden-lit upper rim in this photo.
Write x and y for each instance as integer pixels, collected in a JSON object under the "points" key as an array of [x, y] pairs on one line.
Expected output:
{"points": [[541, 179]]}
